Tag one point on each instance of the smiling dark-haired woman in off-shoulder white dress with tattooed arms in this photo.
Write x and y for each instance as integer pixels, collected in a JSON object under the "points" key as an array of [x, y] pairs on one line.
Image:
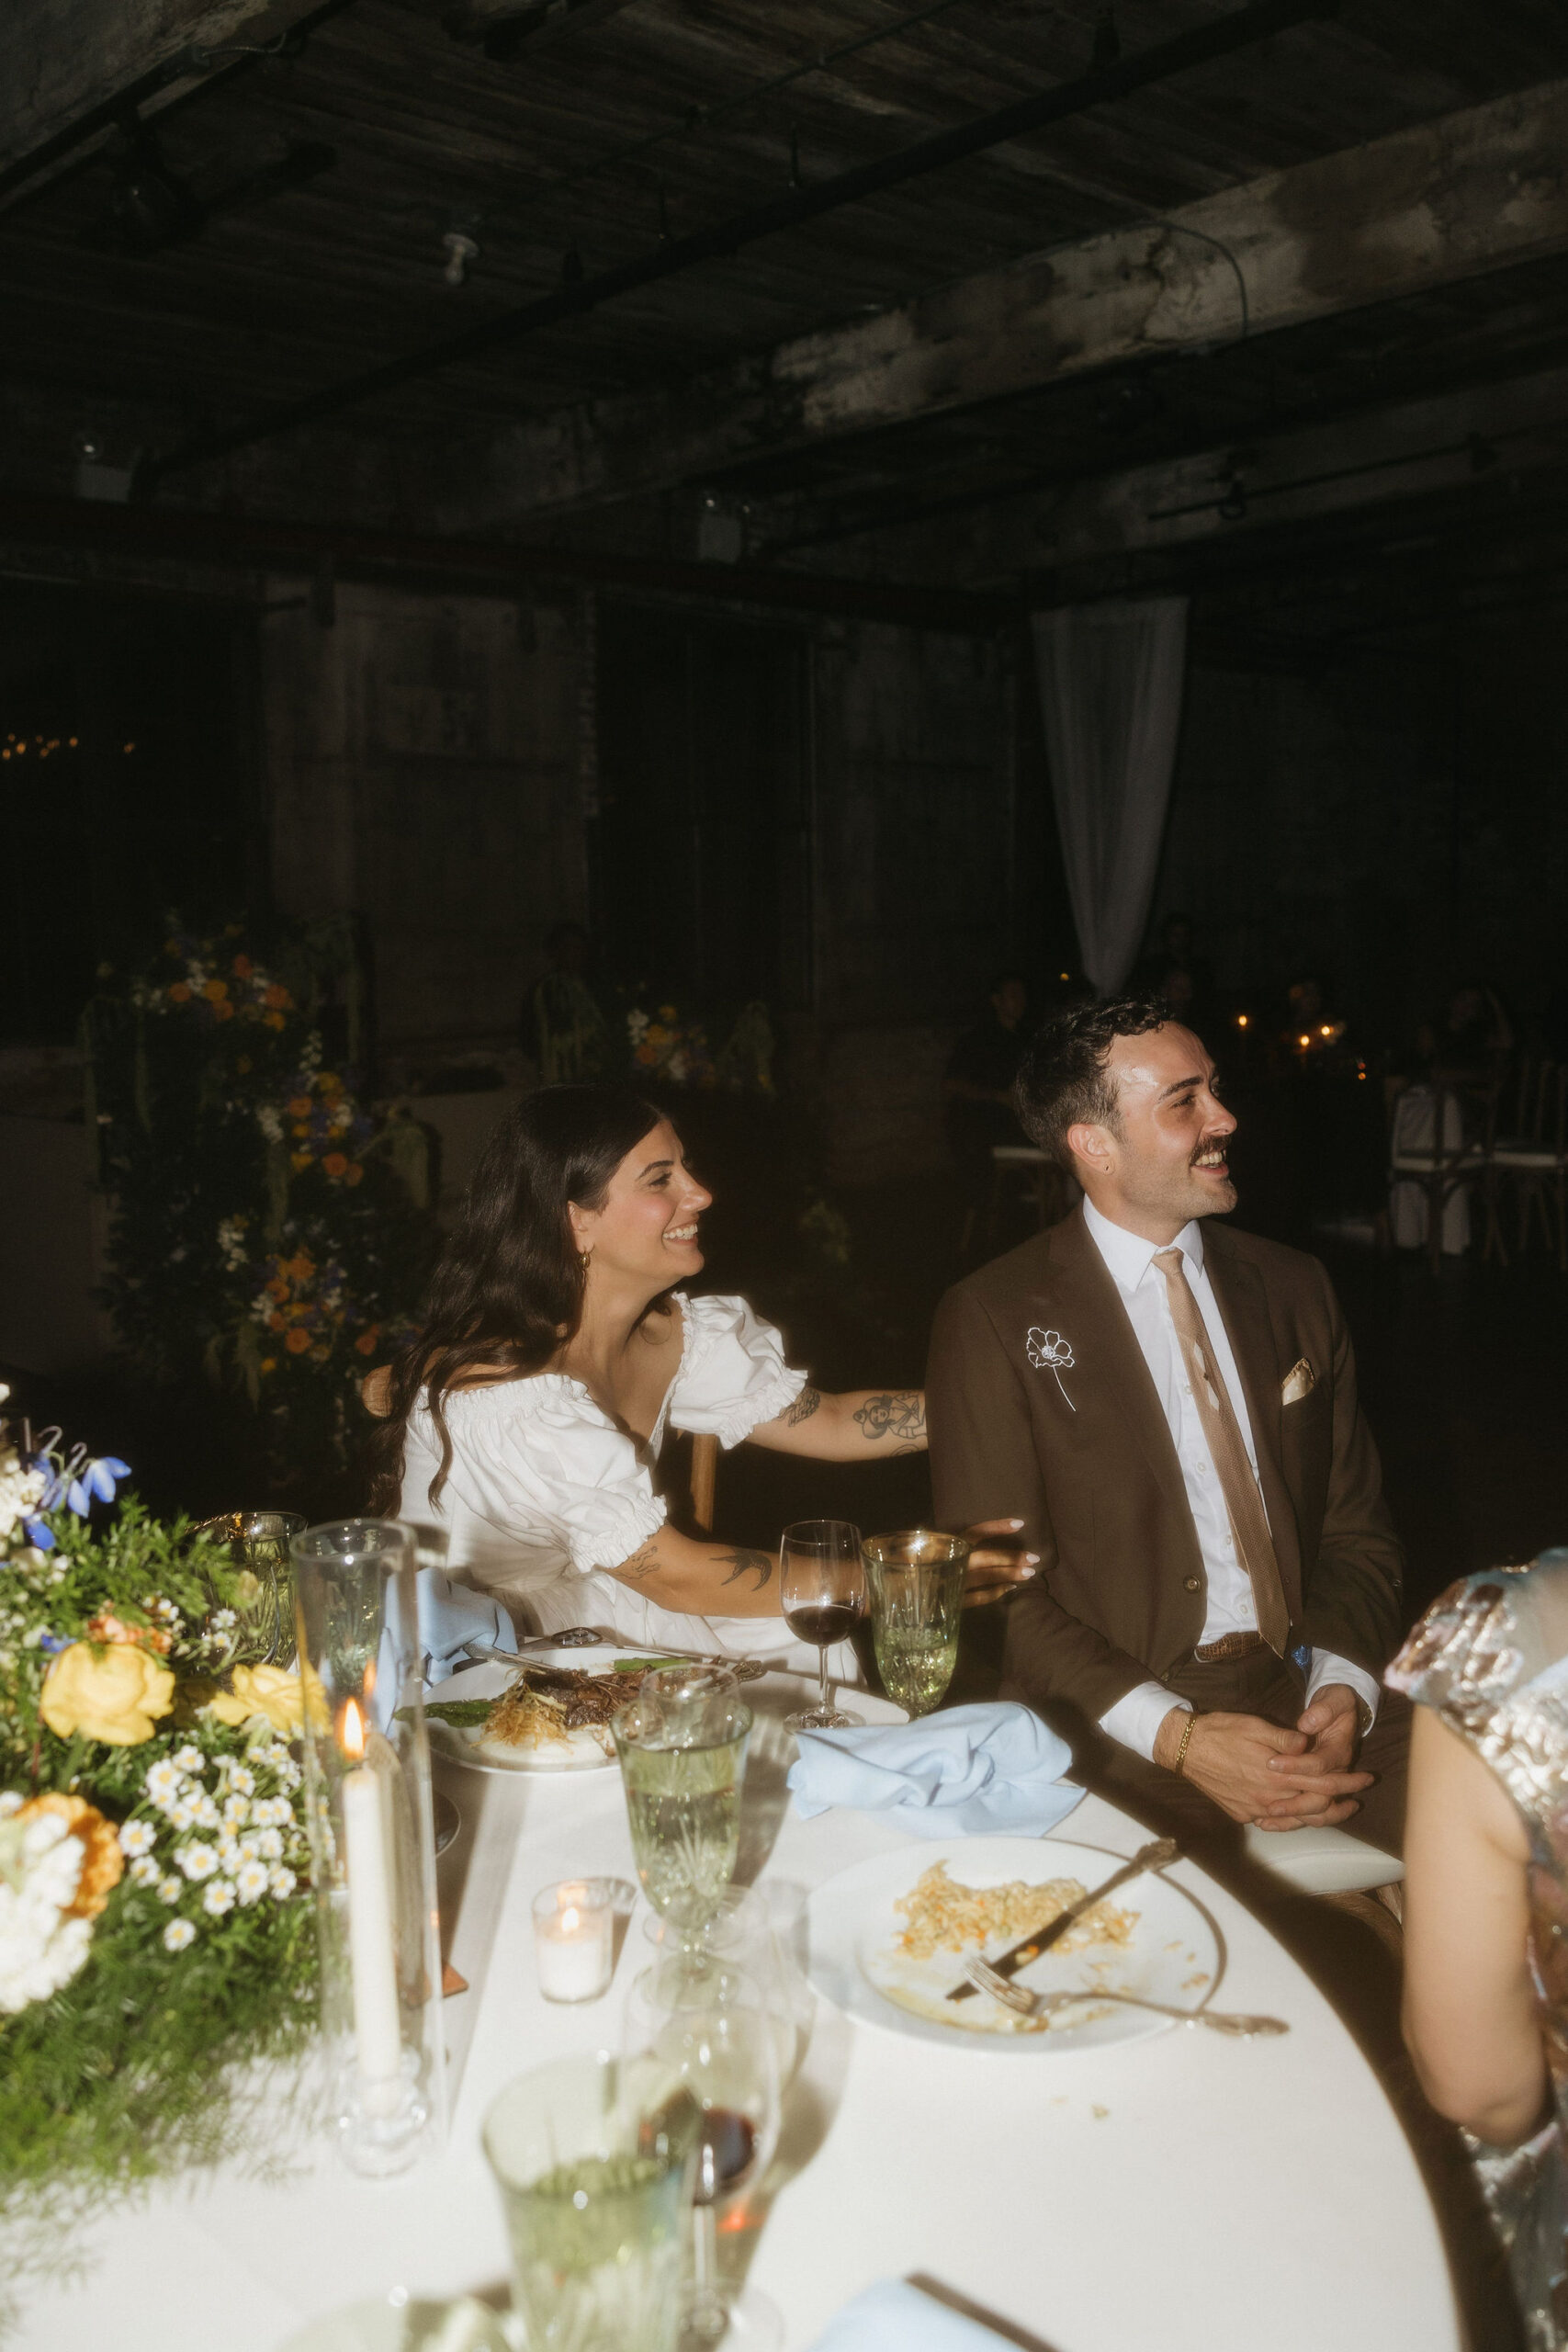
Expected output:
{"points": [[528, 1415]]}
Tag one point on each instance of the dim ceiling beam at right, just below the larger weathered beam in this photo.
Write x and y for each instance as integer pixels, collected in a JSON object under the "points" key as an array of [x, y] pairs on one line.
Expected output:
{"points": [[1405, 450]]}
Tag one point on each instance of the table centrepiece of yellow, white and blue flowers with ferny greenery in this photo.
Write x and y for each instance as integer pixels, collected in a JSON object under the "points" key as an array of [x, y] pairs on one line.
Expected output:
{"points": [[156, 1918]]}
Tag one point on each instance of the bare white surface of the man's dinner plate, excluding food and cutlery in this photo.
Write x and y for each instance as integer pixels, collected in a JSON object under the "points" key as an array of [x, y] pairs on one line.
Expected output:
{"points": [[1172, 1951]]}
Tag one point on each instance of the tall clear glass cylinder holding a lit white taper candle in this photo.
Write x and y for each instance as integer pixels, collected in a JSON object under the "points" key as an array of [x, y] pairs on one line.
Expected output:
{"points": [[373, 1847]]}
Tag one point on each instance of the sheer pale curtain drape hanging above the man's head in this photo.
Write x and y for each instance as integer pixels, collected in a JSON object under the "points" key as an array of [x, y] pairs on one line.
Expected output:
{"points": [[1111, 695]]}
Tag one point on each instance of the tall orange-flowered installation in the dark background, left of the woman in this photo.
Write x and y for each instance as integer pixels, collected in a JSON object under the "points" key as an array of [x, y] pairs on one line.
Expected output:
{"points": [[264, 1229]]}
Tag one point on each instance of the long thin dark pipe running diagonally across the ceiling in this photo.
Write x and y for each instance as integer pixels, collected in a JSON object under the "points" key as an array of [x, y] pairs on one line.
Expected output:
{"points": [[793, 208]]}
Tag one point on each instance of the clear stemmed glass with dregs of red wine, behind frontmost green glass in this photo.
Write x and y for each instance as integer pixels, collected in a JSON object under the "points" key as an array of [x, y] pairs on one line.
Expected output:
{"points": [[709, 2026]]}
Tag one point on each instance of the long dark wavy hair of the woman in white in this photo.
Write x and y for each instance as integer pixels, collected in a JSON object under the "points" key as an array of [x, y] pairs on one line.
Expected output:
{"points": [[509, 1285]]}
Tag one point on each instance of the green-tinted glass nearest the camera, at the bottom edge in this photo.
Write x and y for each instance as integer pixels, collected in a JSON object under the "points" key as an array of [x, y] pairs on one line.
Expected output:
{"points": [[596, 2163]]}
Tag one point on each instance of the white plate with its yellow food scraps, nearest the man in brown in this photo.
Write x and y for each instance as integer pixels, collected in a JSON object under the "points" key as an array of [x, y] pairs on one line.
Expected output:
{"points": [[892, 1935]]}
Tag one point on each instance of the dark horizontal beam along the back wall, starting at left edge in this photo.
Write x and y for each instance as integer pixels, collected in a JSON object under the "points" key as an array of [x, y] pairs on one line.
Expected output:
{"points": [[488, 568]]}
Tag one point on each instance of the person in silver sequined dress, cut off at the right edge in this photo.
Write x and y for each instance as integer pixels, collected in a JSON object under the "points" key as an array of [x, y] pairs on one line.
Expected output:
{"points": [[1487, 1904]]}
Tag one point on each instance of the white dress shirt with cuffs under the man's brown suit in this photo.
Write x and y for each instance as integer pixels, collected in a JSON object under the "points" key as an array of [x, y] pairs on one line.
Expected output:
{"points": [[1141, 1288]]}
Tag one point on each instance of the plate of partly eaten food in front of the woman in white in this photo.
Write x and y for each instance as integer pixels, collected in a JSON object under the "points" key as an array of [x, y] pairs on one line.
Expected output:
{"points": [[547, 1716]]}
